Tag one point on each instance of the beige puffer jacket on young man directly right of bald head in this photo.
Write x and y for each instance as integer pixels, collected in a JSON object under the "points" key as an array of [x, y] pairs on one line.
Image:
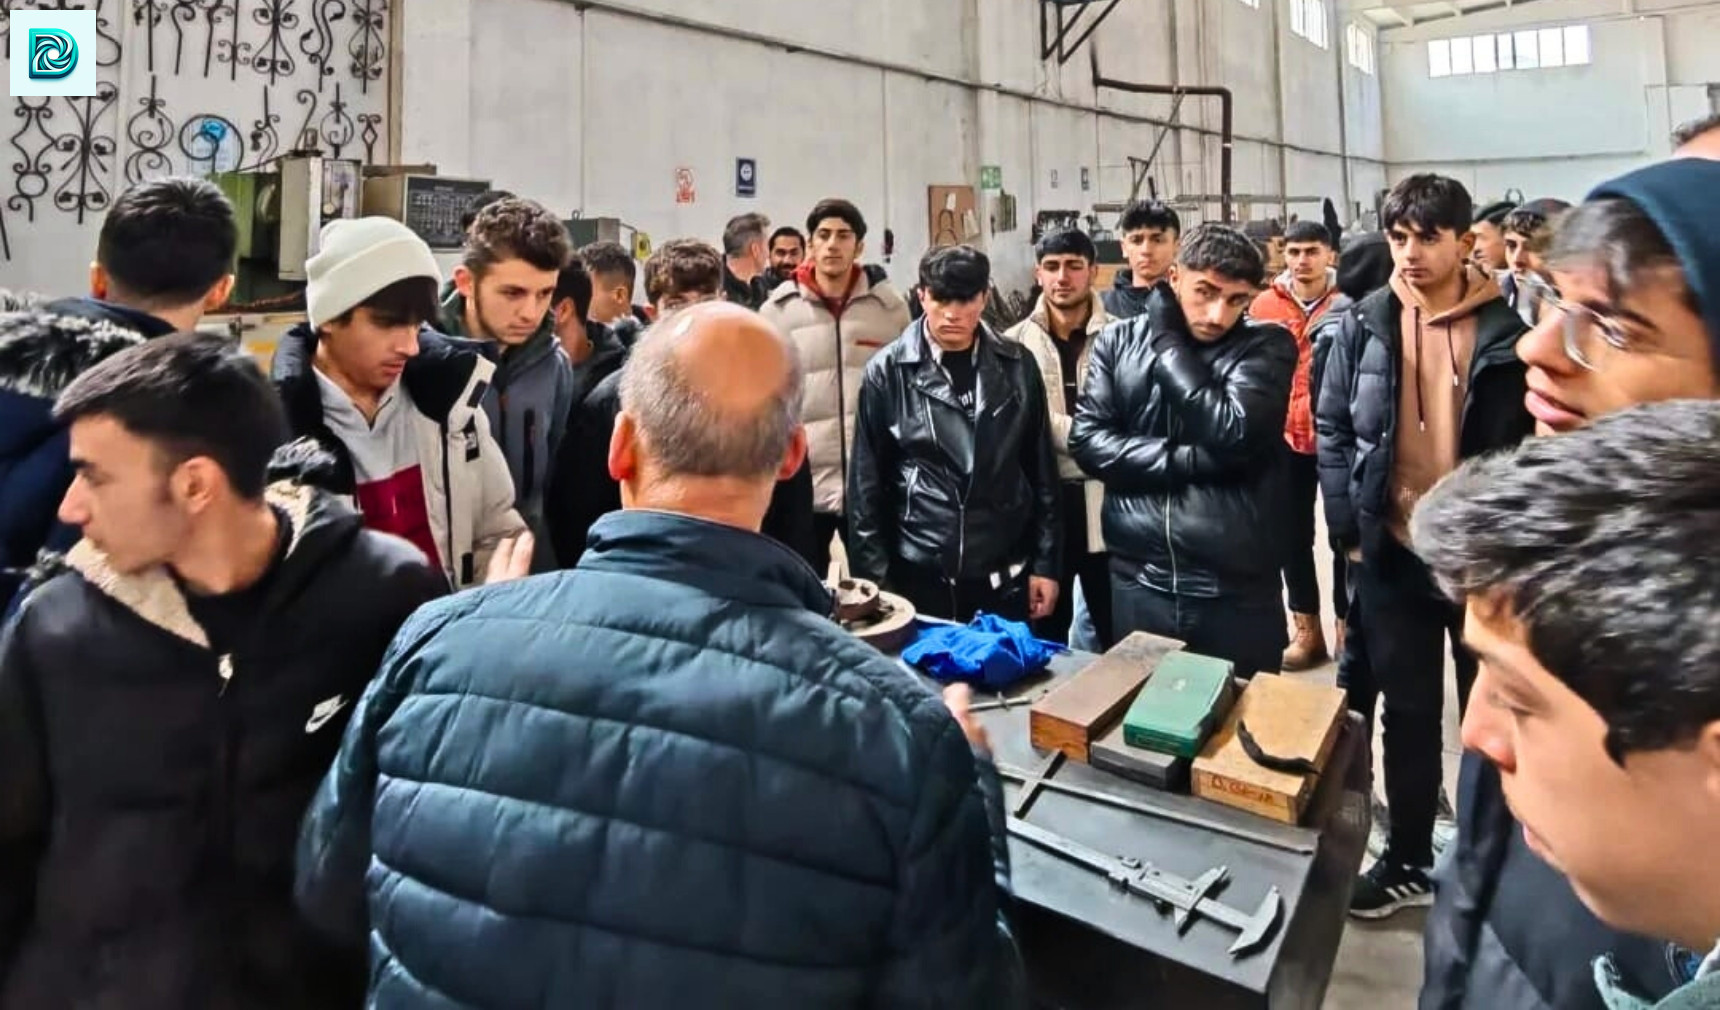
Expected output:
{"points": [[835, 355]]}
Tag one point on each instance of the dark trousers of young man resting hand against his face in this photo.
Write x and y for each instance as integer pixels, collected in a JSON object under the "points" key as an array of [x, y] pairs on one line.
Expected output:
{"points": [[1246, 629]]}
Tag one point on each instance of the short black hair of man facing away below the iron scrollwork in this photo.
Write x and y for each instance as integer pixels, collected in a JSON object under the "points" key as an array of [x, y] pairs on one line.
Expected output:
{"points": [[168, 242]]}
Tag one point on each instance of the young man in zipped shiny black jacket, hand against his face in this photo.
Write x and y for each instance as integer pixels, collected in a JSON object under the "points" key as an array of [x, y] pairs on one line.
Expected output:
{"points": [[1182, 419]]}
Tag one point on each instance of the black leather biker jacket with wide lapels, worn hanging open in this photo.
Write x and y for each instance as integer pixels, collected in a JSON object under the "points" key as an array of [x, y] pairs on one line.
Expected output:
{"points": [[931, 488]]}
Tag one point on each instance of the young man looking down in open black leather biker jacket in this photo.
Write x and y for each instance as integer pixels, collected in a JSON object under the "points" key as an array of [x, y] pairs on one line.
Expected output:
{"points": [[954, 495]]}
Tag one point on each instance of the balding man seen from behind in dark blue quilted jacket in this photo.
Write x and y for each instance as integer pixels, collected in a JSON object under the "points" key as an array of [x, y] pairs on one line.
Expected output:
{"points": [[666, 779]]}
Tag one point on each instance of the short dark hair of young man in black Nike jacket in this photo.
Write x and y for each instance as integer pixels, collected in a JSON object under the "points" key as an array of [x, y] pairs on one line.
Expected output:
{"points": [[192, 395]]}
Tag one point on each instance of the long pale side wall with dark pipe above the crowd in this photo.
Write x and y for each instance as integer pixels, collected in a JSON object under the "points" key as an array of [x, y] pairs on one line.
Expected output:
{"points": [[875, 102]]}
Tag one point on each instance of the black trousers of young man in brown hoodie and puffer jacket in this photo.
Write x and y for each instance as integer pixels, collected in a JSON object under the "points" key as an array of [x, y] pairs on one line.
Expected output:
{"points": [[1396, 646]]}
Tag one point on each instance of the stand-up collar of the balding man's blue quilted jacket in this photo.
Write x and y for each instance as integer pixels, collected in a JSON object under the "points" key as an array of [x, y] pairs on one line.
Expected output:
{"points": [[715, 558]]}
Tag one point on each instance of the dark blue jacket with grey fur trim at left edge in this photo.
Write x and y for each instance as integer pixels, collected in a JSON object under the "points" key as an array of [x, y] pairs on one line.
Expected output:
{"points": [[42, 348]]}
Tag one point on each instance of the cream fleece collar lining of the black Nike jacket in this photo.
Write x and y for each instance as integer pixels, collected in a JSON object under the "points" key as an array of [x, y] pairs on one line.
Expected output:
{"points": [[156, 596]]}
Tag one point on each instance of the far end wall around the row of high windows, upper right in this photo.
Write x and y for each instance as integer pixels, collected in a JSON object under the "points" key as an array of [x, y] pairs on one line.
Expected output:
{"points": [[1551, 132]]}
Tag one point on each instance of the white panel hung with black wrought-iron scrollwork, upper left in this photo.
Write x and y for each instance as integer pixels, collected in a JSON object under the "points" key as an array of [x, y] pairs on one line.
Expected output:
{"points": [[187, 87]]}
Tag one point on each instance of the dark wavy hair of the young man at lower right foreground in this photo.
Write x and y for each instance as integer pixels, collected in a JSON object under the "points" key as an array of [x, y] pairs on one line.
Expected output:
{"points": [[1585, 539]]}
